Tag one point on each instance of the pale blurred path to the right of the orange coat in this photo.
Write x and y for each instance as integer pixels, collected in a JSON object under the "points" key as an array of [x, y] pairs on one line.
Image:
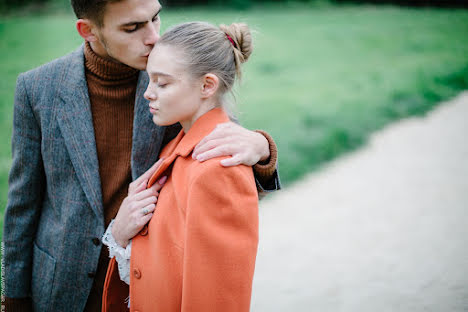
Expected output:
{"points": [[382, 229]]}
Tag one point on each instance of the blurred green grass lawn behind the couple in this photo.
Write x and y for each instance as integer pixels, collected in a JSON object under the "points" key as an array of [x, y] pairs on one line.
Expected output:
{"points": [[320, 79]]}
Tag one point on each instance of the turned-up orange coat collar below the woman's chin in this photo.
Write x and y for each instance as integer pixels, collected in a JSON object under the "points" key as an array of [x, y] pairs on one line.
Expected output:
{"points": [[184, 143]]}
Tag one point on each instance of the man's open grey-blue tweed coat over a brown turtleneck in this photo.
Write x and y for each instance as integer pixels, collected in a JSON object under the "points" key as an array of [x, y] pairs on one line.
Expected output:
{"points": [[54, 216]]}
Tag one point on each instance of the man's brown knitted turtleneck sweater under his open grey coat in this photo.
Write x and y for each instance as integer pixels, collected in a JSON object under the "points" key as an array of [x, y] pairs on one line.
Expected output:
{"points": [[111, 88]]}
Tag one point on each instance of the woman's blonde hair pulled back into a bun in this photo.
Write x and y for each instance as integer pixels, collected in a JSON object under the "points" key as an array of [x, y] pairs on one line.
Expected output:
{"points": [[208, 49]]}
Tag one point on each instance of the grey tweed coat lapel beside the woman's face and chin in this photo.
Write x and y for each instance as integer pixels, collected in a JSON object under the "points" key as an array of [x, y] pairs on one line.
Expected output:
{"points": [[147, 137]]}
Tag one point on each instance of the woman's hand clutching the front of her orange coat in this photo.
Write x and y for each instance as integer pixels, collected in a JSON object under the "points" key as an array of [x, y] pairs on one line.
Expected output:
{"points": [[137, 208]]}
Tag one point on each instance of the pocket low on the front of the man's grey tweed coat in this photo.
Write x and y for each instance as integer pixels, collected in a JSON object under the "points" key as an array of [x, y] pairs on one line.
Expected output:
{"points": [[43, 272]]}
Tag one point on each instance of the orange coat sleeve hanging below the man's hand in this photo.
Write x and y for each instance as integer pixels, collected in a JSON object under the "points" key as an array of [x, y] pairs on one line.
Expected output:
{"points": [[221, 239]]}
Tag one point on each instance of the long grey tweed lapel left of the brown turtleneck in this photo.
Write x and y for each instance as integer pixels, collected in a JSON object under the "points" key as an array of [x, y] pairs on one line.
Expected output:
{"points": [[76, 123]]}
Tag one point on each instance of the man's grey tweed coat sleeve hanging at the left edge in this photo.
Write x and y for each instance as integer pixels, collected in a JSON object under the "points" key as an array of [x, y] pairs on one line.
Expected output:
{"points": [[25, 195]]}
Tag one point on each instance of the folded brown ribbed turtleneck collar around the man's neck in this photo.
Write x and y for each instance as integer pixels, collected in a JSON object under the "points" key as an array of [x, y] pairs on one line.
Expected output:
{"points": [[106, 69]]}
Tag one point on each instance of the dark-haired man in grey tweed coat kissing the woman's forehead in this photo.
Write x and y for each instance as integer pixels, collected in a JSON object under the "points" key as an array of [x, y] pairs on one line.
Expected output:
{"points": [[82, 132]]}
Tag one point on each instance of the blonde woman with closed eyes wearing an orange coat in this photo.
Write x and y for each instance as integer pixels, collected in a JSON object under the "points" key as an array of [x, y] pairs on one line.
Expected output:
{"points": [[198, 251]]}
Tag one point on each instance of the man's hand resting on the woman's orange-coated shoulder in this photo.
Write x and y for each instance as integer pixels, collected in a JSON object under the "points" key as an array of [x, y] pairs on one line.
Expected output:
{"points": [[229, 139]]}
